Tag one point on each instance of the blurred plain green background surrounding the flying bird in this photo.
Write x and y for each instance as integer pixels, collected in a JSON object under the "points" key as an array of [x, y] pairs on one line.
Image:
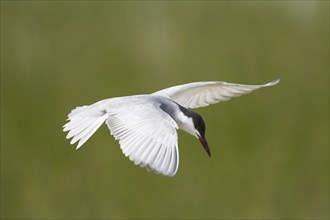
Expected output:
{"points": [[270, 148]]}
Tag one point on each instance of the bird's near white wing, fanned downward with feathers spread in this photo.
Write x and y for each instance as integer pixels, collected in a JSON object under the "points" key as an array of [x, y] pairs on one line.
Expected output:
{"points": [[147, 135]]}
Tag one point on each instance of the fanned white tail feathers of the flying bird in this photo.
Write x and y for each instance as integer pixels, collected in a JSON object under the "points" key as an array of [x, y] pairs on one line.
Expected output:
{"points": [[83, 122]]}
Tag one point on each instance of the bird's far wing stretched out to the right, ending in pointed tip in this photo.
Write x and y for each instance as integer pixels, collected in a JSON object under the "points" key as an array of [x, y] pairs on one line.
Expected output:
{"points": [[200, 94]]}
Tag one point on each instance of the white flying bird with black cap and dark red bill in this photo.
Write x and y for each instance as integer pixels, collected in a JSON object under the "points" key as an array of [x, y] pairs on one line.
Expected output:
{"points": [[146, 125]]}
